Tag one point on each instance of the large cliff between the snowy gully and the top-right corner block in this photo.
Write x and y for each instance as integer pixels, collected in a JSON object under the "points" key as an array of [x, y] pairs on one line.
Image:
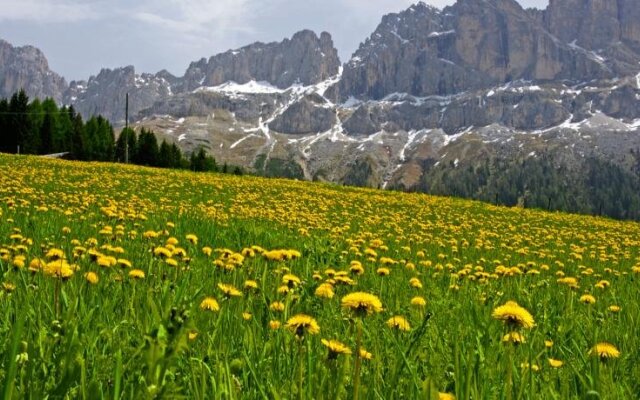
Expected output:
{"points": [[470, 45]]}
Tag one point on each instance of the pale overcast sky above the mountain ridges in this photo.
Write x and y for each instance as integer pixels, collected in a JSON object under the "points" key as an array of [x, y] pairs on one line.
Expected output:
{"points": [[81, 36]]}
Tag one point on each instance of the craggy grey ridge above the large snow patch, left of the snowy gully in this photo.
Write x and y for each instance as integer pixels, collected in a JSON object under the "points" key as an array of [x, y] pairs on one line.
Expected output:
{"points": [[305, 59]]}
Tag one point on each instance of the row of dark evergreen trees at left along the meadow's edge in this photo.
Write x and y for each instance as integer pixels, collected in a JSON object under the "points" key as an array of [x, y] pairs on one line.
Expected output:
{"points": [[41, 127]]}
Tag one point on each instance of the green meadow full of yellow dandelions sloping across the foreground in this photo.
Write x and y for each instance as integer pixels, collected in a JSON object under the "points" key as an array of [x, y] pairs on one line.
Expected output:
{"points": [[123, 282]]}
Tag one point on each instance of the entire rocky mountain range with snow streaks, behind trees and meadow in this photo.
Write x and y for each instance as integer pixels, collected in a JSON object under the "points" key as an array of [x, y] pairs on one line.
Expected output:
{"points": [[429, 89]]}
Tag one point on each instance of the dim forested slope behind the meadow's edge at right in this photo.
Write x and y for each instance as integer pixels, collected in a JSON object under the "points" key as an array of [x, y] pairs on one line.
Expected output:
{"points": [[594, 186]]}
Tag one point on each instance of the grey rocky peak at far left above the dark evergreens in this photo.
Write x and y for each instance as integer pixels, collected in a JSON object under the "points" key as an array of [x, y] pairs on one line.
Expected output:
{"points": [[27, 68]]}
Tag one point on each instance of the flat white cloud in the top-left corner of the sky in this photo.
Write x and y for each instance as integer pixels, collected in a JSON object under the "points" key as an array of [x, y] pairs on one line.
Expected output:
{"points": [[46, 11]]}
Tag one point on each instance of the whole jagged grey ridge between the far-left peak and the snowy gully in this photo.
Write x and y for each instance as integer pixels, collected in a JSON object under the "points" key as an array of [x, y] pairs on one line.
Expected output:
{"points": [[304, 59]]}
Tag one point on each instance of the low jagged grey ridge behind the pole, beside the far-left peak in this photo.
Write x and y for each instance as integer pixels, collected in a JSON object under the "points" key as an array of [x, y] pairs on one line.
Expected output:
{"points": [[105, 94]]}
